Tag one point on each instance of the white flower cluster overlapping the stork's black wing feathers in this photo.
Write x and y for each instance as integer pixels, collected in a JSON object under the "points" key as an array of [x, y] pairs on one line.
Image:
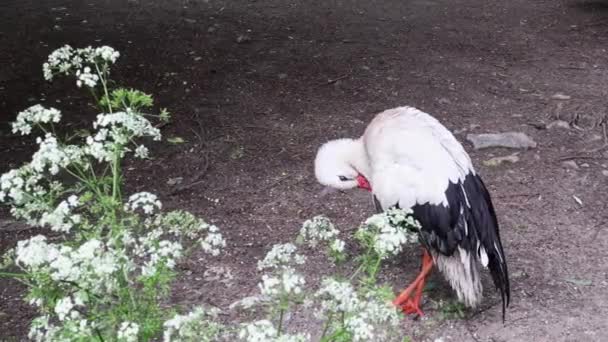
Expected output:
{"points": [[391, 230]]}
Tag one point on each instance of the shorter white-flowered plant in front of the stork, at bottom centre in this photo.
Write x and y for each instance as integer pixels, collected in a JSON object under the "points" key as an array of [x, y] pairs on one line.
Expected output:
{"points": [[352, 308]]}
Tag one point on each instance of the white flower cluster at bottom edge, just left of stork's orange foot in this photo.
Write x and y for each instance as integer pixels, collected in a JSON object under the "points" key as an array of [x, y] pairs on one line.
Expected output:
{"points": [[361, 316]]}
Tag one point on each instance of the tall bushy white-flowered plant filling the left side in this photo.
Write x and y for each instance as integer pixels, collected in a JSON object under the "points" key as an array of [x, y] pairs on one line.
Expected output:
{"points": [[104, 275]]}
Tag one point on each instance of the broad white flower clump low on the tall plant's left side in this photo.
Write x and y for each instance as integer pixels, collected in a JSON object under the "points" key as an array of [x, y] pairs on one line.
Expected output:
{"points": [[91, 265]]}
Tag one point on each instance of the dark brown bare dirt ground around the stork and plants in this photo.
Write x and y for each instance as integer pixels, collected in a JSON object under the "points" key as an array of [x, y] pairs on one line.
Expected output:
{"points": [[255, 86]]}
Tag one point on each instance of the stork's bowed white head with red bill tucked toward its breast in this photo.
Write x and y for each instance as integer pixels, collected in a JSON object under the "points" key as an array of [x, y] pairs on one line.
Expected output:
{"points": [[341, 163]]}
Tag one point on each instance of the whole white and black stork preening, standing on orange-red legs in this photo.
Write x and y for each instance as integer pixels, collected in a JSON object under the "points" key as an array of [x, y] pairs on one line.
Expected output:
{"points": [[407, 159]]}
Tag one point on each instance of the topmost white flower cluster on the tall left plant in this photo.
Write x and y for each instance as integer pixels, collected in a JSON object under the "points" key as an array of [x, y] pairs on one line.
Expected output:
{"points": [[66, 60]]}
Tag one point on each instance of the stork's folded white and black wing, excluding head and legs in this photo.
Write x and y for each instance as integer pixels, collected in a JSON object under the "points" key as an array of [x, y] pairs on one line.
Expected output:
{"points": [[417, 163]]}
